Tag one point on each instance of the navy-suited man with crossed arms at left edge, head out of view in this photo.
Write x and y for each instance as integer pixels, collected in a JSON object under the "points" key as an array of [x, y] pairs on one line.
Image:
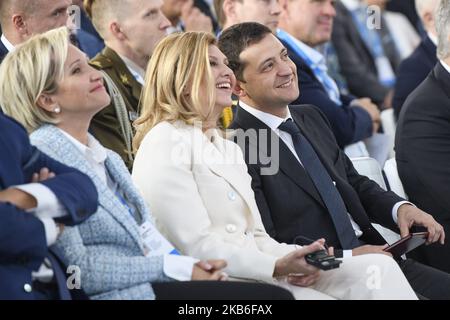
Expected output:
{"points": [[28, 213]]}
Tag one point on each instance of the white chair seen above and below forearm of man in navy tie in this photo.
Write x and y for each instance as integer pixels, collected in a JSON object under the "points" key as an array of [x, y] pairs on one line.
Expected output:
{"points": [[370, 168]]}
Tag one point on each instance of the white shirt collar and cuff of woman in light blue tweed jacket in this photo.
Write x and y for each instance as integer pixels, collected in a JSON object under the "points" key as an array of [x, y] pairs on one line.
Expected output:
{"points": [[175, 266]]}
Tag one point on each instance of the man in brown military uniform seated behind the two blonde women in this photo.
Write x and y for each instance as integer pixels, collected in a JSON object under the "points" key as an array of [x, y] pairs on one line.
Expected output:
{"points": [[131, 30]]}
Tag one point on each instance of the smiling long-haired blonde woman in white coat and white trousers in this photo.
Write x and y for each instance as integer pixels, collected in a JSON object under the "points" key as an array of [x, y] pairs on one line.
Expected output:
{"points": [[199, 188]]}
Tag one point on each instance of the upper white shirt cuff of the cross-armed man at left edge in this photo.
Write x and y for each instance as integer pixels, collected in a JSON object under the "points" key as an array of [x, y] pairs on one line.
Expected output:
{"points": [[48, 206]]}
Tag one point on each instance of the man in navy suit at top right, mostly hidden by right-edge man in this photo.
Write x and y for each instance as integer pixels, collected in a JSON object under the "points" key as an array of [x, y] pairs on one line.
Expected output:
{"points": [[414, 69]]}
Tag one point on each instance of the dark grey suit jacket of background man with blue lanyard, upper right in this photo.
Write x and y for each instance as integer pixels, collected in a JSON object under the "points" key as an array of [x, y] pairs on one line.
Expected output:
{"points": [[356, 61]]}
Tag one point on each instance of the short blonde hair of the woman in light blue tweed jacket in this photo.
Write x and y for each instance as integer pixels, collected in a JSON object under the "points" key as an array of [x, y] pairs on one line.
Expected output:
{"points": [[36, 66]]}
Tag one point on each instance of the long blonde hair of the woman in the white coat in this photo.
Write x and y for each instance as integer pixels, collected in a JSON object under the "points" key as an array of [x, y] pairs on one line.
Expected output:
{"points": [[177, 76]]}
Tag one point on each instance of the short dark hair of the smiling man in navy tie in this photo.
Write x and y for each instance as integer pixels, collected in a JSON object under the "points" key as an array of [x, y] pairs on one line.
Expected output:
{"points": [[236, 39]]}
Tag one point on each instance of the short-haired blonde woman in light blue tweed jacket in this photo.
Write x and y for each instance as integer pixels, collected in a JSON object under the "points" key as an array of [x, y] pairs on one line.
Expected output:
{"points": [[48, 85]]}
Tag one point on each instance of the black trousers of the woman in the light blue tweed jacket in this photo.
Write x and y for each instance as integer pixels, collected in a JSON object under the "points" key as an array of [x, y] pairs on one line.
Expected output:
{"points": [[219, 290]]}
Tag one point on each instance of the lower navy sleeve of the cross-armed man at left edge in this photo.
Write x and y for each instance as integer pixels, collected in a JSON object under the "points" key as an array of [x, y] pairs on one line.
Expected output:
{"points": [[21, 235]]}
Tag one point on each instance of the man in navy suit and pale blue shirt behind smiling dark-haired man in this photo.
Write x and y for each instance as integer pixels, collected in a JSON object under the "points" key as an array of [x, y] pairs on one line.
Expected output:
{"points": [[352, 120]]}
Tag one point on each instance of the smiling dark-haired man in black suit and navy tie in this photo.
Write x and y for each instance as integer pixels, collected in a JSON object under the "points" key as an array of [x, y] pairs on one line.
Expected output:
{"points": [[304, 184]]}
